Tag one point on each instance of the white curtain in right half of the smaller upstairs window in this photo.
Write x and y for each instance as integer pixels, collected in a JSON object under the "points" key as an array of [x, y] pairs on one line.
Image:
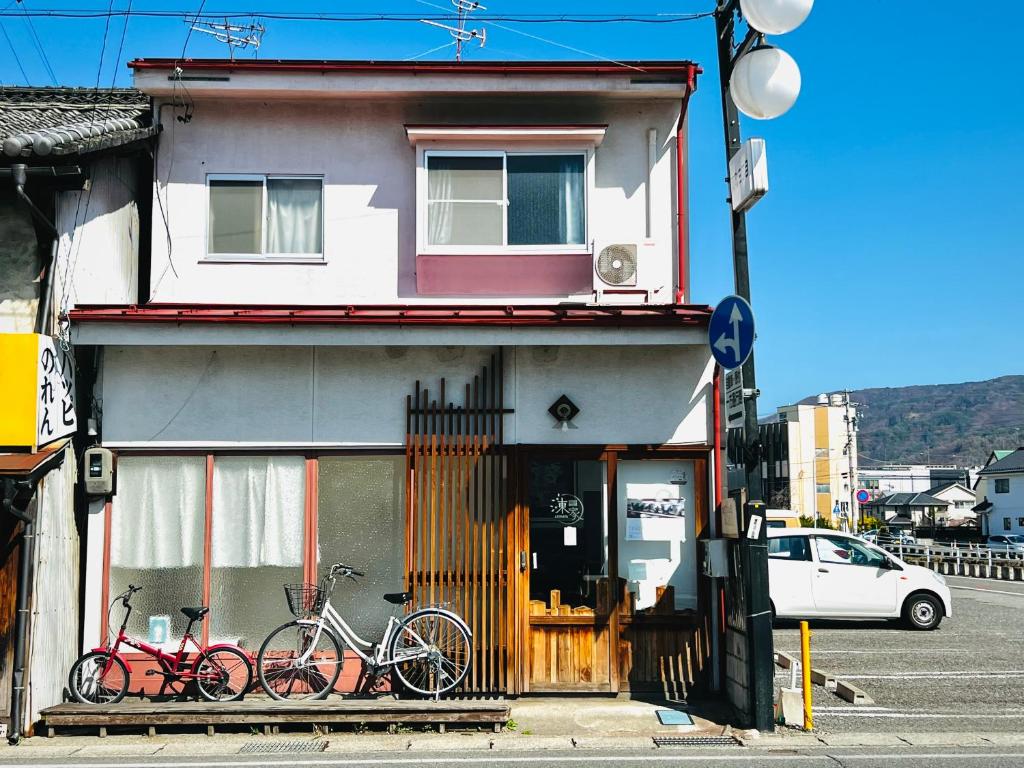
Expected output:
{"points": [[294, 216]]}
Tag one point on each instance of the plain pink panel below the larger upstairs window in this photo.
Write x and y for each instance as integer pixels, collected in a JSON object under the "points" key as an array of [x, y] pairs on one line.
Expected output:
{"points": [[514, 275]]}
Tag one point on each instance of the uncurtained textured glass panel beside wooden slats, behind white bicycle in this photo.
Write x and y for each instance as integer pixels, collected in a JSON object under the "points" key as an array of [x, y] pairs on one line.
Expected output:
{"points": [[361, 523]]}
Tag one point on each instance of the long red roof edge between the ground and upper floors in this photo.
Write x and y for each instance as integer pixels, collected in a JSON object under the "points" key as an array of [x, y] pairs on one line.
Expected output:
{"points": [[535, 316]]}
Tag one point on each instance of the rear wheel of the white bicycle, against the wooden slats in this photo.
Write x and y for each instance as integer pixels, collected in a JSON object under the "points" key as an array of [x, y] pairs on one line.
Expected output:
{"points": [[433, 653]]}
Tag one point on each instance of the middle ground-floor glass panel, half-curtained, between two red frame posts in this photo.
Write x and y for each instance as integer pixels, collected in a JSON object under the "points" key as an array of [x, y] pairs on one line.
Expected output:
{"points": [[258, 544]]}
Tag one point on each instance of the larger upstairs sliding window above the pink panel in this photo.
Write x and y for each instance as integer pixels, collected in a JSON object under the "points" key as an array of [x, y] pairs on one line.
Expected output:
{"points": [[500, 201]]}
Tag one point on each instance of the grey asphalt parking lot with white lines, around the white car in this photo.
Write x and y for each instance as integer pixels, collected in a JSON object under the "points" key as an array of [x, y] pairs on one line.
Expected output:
{"points": [[968, 675]]}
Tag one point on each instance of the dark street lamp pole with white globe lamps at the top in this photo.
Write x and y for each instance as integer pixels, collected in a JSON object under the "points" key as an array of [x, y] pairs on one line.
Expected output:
{"points": [[767, 86]]}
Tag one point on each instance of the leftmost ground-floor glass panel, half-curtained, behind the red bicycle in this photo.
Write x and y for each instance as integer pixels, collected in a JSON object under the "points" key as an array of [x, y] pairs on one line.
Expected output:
{"points": [[158, 520]]}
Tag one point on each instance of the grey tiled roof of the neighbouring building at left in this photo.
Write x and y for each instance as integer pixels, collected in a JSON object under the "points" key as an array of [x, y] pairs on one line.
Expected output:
{"points": [[39, 122]]}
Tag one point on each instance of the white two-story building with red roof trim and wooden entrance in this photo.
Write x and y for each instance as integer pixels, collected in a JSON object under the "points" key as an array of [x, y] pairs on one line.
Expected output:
{"points": [[433, 320]]}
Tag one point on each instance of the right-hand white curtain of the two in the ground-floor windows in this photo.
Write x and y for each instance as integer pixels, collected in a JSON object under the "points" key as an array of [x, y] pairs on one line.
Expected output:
{"points": [[259, 511]]}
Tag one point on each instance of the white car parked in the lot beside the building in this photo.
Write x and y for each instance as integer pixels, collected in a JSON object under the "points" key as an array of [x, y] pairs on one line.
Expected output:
{"points": [[828, 575]]}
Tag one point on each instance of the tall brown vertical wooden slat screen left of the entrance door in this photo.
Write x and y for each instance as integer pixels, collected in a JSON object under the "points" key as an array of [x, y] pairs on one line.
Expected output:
{"points": [[461, 520]]}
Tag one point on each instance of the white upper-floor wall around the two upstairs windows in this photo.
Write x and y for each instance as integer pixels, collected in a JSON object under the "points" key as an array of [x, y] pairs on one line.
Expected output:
{"points": [[361, 149]]}
